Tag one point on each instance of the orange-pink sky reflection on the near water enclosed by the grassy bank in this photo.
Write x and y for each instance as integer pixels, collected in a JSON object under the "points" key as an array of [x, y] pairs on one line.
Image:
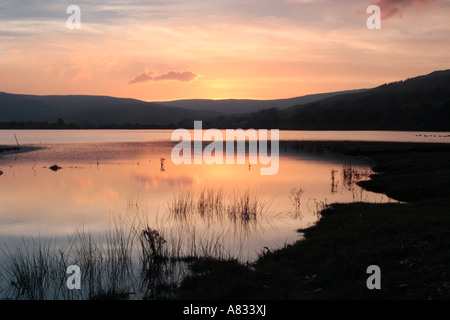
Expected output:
{"points": [[55, 188]]}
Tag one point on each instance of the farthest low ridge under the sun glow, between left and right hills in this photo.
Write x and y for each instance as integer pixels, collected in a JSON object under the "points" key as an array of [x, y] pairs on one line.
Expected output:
{"points": [[243, 106]]}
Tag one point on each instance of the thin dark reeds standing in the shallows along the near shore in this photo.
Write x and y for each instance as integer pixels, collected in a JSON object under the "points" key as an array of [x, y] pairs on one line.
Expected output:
{"points": [[135, 259]]}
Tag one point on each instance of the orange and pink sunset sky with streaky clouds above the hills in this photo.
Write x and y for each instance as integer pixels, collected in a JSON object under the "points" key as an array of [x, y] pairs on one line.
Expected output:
{"points": [[166, 50]]}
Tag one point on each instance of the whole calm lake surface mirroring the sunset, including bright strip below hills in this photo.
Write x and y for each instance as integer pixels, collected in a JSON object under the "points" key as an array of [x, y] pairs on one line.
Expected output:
{"points": [[106, 174]]}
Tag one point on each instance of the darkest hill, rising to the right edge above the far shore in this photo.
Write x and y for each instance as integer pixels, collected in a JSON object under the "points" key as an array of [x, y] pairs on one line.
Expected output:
{"points": [[420, 103]]}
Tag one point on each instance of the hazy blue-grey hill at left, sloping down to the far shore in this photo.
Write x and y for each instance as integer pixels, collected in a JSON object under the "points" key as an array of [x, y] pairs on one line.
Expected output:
{"points": [[92, 111]]}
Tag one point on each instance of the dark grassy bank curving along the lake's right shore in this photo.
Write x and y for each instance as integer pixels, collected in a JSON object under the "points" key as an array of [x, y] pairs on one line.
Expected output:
{"points": [[409, 241]]}
